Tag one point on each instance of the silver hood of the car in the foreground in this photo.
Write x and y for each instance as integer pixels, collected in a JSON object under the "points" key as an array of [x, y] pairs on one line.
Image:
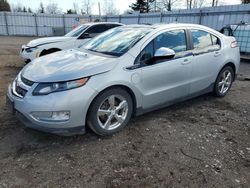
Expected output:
{"points": [[67, 65]]}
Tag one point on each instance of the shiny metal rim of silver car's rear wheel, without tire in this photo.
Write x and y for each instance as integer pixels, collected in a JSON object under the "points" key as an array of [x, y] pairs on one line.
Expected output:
{"points": [[225, 82]]}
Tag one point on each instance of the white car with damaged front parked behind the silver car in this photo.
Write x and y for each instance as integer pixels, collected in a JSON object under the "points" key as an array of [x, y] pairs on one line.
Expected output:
{"points": [[73, 39]]}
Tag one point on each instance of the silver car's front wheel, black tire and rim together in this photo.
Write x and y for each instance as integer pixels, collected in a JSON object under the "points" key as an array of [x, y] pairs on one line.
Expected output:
{"points": [[110, 111]]}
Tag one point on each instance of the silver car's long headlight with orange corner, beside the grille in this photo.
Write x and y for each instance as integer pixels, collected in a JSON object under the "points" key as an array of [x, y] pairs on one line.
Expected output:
{"points": [[47, 88]]}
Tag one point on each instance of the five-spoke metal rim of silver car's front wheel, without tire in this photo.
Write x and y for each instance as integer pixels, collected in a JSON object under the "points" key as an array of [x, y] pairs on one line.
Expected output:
{"points": [[112, 112]]}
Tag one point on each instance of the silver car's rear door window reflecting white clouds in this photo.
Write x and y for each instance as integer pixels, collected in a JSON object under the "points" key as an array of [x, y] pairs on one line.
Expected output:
{"points": [[201, 39]]}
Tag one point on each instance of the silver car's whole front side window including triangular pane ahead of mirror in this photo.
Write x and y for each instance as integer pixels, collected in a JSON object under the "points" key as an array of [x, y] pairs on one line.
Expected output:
{"points": [[175, 40]]}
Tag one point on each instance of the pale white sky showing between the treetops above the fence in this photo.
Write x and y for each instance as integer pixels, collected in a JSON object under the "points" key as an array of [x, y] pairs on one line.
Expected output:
{"points": [[121, 5]]}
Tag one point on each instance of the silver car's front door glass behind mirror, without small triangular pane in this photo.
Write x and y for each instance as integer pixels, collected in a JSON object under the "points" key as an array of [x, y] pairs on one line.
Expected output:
{"points": [[175, 40]]}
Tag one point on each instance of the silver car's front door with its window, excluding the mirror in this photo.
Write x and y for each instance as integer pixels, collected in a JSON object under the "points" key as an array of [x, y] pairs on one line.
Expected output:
{"points": [[165, 81]]}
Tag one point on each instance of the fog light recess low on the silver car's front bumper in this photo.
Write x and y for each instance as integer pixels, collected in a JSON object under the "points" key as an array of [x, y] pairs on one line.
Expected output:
{"points": [[56, 116]]}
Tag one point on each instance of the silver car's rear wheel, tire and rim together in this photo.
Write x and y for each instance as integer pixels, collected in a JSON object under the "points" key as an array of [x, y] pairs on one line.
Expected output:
{"points": [[224, 81]]}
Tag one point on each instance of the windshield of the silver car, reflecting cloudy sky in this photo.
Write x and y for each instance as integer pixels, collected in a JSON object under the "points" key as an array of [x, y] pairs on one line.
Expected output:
{"points": [[117, 41]]}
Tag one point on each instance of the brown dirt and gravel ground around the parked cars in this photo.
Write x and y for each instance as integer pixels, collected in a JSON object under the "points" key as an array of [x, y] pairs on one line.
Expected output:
{"points": [[203, 142]]}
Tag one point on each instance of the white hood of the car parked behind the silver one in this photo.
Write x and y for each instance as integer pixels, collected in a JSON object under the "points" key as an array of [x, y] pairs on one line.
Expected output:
{"points": [[47, 40]]}
